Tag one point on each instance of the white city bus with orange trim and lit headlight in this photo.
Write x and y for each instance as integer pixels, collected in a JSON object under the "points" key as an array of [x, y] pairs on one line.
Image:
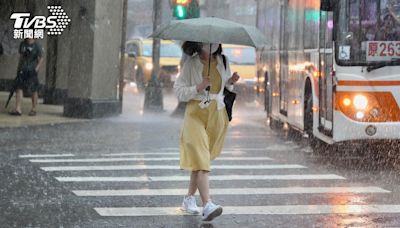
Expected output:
{"points": [[332, 69]]}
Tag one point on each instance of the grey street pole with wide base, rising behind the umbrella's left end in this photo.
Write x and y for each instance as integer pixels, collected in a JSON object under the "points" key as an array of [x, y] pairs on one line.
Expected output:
{"points": [[153, 100]]}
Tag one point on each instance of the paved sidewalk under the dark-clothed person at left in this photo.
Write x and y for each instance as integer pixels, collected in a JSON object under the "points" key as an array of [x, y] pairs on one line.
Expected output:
{"points": [[46, 114]]}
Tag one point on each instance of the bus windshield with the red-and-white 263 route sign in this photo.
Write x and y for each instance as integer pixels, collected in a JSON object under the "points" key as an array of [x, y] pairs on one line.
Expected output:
{"points": [[368, 32]]}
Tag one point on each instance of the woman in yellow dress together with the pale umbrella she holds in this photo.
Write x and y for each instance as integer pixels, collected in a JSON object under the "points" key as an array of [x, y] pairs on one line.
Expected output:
{"points": [[201, 83]]}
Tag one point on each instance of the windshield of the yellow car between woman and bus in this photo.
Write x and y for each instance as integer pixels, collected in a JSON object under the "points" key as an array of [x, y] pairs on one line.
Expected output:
{"points": [[240, 55]]}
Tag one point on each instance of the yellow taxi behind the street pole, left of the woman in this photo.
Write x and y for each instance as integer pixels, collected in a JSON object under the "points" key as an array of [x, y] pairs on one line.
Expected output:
{"points": [[139, 57]]}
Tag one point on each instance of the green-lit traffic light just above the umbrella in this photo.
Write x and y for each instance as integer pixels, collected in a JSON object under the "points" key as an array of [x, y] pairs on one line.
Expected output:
{"points": [[184, 9]]}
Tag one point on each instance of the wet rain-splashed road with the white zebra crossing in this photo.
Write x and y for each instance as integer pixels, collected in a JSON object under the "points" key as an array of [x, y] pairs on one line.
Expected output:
{"points": [[124, 172]]}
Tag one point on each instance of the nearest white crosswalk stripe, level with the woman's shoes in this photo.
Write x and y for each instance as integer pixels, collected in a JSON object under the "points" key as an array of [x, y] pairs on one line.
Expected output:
{"points": [[258, 210]]}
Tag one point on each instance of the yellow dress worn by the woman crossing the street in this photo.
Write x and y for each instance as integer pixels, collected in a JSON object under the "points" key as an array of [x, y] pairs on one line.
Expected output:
{"points": [[204, 129]]}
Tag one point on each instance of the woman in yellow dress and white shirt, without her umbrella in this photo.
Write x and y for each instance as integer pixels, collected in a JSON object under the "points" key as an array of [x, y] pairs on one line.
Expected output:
{"points": [[205, 120]]}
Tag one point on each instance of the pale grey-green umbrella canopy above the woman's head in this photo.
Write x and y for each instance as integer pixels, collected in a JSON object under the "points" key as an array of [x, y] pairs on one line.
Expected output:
{"points": [[211, 30]]}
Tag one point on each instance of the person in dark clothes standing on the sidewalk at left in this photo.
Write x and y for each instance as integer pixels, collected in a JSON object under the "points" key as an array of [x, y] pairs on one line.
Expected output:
{"points": [[29, 64]]}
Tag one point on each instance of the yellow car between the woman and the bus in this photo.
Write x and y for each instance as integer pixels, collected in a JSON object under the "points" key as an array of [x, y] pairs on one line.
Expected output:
{"points": [[242, 59]]}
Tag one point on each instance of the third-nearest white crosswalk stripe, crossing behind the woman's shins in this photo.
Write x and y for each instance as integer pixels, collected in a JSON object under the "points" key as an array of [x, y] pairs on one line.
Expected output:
{"points": [[212, 178]]}
